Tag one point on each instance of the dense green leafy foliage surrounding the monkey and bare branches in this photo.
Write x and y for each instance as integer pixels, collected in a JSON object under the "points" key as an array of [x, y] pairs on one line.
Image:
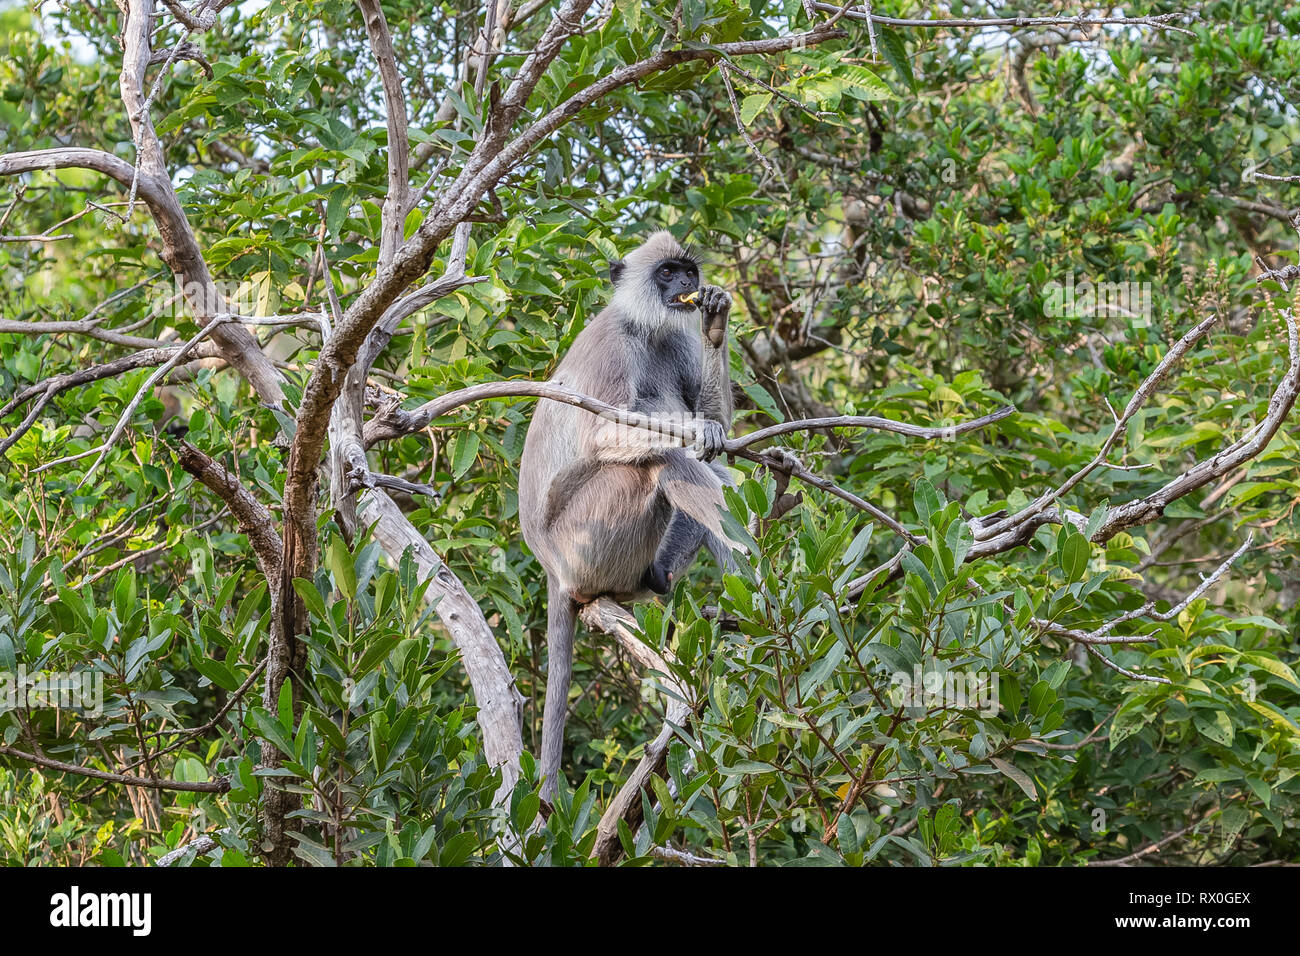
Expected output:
{"points": [[895, 253]]}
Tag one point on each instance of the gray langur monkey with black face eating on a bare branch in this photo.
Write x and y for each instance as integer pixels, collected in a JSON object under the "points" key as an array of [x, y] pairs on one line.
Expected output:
{"points": [[614, 511]]}
